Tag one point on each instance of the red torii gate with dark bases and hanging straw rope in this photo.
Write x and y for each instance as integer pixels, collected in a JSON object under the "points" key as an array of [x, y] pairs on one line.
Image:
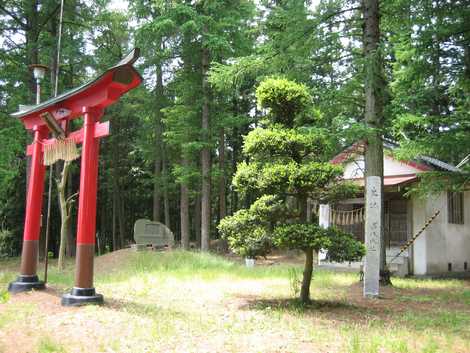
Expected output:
{"points": [[89, 101]]}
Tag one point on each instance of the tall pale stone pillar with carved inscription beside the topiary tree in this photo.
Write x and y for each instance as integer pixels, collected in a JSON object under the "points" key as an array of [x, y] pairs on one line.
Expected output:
{"points": [[373, 228]]}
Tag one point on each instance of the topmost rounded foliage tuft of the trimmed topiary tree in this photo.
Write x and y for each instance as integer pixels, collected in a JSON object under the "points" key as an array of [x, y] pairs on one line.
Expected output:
{"points": [[286, 100]]}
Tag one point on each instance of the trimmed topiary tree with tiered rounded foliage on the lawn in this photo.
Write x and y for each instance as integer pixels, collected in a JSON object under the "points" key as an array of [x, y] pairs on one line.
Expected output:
{"points": [[286, 165]]}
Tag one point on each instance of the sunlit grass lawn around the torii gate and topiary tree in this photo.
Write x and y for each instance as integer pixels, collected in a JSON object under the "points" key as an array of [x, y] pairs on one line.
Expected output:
{"points": [[190, 302]]}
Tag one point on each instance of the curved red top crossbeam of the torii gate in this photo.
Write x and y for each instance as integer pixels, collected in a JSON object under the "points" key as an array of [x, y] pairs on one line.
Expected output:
{"points": [[96, 94]]}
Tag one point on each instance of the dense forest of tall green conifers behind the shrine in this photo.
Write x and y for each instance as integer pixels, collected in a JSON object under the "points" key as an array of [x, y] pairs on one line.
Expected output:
{"points": [[176, 140]]}
